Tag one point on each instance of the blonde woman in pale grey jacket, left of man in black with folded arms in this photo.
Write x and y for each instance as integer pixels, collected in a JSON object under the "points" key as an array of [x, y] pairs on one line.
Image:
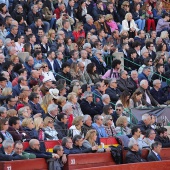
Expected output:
{"points": [[72, 99]]}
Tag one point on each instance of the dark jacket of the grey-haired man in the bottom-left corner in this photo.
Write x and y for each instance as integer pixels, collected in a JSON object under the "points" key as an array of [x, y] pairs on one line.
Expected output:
{"points": [[4, 157]]}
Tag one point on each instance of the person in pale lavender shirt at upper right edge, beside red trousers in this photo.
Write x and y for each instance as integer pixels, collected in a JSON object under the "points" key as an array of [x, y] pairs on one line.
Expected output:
{"points": [[163, 24]]}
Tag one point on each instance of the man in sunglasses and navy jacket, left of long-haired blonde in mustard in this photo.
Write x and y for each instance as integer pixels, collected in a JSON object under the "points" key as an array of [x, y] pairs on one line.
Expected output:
{"points": [[34, 103]]}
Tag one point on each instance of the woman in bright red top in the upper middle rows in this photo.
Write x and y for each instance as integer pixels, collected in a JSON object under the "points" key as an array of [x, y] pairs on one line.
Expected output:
{"points": [[78, 32]]}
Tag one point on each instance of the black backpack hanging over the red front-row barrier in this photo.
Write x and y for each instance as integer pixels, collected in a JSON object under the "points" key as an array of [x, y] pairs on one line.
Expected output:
{"points": [[116, 153]]}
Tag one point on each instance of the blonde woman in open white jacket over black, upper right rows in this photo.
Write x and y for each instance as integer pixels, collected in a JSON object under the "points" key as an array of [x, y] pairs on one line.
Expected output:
{"points": [[128, 24]]}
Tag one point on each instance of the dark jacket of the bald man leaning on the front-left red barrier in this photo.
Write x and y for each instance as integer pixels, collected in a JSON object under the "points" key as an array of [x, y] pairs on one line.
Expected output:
{"points": [[39, 154]]}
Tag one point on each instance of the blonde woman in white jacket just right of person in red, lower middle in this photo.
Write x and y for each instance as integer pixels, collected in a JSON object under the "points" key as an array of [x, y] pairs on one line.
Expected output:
{"points": [[76, 128]]}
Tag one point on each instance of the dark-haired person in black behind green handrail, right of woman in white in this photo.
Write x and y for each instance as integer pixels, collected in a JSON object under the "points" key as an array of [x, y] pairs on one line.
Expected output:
{"points": [[64, 74]]}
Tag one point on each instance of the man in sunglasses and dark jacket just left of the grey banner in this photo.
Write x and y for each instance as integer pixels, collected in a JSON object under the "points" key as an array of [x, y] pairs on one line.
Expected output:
{"points": [[118, 113]]}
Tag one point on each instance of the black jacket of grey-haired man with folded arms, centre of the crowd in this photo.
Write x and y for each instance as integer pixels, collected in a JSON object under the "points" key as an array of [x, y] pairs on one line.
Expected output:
{"points": [[90, 109]]}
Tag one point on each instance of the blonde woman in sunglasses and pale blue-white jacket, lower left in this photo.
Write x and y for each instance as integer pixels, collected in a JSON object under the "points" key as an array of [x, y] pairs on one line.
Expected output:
{"points": [[50, 132]]}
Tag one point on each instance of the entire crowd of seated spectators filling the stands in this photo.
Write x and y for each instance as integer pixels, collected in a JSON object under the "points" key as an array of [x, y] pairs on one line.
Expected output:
{"points": [[56, 82]]}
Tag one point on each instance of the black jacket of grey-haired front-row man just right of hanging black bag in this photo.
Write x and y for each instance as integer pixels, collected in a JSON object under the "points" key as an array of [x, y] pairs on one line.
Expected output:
{"points": [[133, 157]]}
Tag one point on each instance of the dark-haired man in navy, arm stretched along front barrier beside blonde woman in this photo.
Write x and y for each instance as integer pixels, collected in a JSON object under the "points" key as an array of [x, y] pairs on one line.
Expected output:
{"points": [[78, 146]]}
